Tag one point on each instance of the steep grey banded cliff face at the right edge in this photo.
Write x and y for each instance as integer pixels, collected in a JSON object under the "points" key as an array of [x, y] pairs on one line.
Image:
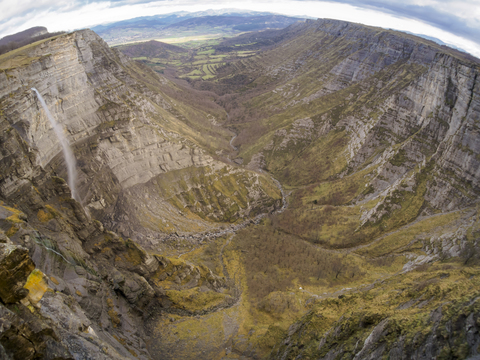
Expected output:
{"points": [[427, 127]]}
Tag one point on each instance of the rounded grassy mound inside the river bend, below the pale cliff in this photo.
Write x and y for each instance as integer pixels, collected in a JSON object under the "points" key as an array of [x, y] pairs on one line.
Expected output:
{"points": [[190, 199]]}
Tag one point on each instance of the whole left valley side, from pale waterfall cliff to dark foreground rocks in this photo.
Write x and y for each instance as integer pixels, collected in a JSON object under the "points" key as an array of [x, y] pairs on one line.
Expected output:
{"points": [[134, 135]]}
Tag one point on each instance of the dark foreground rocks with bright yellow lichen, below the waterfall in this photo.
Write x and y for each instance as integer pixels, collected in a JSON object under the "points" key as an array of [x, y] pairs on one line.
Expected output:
{"points": [[54, 311]]}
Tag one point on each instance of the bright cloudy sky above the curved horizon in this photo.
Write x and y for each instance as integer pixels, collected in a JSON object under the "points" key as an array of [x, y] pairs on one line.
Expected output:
{"points": [[454, 22]]}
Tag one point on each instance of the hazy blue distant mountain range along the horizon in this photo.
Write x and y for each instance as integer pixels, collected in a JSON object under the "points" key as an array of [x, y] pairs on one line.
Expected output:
{"points": [[183, 24]]}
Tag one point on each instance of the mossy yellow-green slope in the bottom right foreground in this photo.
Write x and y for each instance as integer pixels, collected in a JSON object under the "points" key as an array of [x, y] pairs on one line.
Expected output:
{"points": [[405, 315]]}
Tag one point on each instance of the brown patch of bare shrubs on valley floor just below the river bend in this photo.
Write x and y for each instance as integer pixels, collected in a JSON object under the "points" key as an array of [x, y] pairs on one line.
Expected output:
{"points": [[275, 261]]}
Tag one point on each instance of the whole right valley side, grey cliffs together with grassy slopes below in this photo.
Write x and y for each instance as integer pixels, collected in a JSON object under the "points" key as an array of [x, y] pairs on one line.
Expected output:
{"points": [[339, 98]]}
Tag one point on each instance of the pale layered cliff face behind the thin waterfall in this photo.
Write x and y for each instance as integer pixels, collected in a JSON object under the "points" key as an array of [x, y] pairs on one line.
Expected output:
{"points": [[123, 129]]}
